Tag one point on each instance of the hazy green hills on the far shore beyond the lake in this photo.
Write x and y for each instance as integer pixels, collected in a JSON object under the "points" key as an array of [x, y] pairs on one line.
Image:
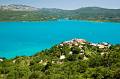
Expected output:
{"points": [[27, 13]]}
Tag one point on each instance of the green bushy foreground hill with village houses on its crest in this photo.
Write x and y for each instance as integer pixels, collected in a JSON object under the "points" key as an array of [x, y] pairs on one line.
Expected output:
{"points": [[74, 59]]}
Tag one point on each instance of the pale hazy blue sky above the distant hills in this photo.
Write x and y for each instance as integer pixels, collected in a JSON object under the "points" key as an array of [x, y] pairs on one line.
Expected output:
{"points": [[66, 4]]}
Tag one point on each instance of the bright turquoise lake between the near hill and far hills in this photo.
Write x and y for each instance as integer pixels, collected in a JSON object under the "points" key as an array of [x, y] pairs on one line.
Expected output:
{"points": [[28, 38]]}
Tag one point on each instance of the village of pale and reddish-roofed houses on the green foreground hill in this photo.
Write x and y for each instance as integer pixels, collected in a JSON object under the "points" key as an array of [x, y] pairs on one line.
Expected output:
{"points": [[79, 43]]}
